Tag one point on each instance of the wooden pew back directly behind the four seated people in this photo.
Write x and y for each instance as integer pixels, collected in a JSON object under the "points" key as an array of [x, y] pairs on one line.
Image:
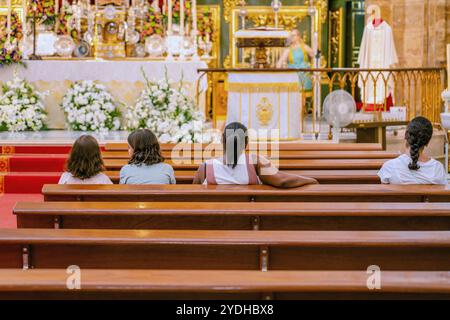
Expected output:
{"points": [[259, 193]]}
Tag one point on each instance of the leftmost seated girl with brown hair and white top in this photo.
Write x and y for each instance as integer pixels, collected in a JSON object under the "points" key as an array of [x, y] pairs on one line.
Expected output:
{"points": [[85, 163]]}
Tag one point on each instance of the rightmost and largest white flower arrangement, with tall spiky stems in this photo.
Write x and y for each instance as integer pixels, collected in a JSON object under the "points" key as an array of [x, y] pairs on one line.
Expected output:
{"points": [[167, 111]]}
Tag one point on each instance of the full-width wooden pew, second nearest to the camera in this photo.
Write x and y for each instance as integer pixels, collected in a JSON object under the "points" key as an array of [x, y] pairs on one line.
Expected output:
{"points": [[225, 250]]}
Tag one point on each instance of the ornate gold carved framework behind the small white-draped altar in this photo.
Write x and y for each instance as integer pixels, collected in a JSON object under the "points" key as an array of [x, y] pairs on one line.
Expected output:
{"points": [[263, 16]]}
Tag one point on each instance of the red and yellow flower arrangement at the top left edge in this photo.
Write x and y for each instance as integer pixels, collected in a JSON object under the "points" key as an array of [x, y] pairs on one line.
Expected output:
{"points": [[10, 52]]}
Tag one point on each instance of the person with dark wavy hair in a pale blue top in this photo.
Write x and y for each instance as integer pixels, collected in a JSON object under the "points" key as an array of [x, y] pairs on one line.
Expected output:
{"points": [[146, 164]]}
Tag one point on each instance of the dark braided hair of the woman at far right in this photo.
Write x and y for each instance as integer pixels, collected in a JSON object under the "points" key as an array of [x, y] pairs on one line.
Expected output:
{"points": [[418, 135]]}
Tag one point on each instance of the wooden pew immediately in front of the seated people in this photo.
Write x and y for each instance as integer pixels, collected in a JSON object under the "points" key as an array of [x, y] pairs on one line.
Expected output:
{"points": [[323, 176]]}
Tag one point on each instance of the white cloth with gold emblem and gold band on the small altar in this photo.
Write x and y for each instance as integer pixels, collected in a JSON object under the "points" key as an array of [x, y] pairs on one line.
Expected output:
{"points": [[266, 101]]}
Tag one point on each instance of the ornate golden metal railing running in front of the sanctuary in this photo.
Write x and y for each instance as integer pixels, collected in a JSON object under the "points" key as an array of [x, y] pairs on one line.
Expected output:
{"points": [[417, 89]]}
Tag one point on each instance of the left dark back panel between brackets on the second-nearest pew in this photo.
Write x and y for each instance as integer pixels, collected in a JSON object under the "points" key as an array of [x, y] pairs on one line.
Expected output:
{"points": [[146, 257]]}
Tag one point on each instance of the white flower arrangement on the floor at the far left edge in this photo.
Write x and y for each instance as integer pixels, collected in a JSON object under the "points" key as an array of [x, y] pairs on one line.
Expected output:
{"points": [[21, 107]]}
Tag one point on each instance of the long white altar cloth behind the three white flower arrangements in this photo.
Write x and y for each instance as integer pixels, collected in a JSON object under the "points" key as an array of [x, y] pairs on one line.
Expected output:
{"points": [[122, 78]]}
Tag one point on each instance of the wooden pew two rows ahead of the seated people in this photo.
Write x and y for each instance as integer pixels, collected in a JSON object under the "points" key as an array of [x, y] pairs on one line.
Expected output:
{"points": [[301, 164]]}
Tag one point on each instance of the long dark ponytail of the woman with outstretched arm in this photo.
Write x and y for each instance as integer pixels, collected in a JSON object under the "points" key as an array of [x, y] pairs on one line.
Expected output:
{"points": [[235, 140]]}
